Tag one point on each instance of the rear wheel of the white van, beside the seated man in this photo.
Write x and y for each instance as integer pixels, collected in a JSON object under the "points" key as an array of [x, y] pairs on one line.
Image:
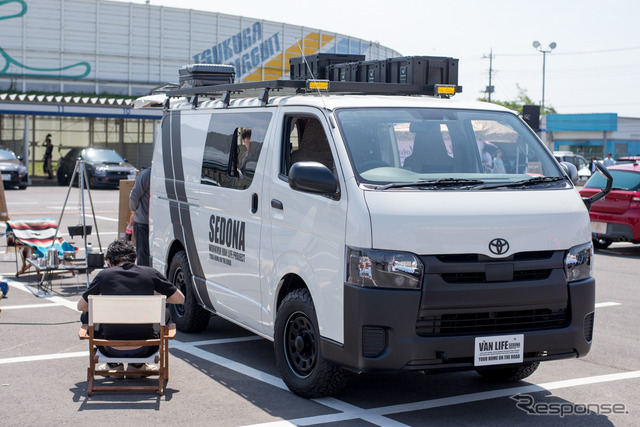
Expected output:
{"points": [[190, 316]]}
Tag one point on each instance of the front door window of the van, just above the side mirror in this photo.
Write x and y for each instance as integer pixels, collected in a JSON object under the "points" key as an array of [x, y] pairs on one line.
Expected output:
{"points": [[305, 140]]}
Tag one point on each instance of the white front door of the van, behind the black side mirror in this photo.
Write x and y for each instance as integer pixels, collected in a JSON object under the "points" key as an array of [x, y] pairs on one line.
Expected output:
{"points": [[307, 229]]}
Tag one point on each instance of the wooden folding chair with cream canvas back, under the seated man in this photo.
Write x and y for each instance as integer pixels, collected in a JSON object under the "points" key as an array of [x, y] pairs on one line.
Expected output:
{"points": [[138, 309]]}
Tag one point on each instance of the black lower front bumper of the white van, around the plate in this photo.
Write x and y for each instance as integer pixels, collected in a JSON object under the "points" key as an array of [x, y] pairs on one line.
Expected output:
{"points": [[404, 349]]}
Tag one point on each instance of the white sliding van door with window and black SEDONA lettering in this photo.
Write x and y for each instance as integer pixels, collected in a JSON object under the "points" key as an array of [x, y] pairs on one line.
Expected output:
{"points": [[230, 219]]}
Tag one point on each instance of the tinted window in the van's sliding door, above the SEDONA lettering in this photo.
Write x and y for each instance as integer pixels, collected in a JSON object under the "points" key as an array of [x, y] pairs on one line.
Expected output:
{"points": [[229, 160]]}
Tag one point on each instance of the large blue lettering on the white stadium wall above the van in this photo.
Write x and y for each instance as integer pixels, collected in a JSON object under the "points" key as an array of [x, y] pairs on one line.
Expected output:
{"points": [[244, 50]]}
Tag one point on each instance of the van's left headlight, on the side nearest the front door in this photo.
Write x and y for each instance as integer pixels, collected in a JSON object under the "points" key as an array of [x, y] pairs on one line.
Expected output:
{"points": [[383, 269]]}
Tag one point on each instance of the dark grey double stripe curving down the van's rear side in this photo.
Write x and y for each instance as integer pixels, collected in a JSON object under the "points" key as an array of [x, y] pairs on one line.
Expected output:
{"points": [[179, 209]]}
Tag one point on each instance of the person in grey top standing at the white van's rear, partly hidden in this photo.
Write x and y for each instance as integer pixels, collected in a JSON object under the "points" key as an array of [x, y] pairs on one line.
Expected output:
{"points": [[139, 203]]}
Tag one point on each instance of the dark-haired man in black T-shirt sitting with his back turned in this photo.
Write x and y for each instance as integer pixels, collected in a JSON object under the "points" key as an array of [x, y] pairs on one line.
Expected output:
{"points": [[124, 277]]}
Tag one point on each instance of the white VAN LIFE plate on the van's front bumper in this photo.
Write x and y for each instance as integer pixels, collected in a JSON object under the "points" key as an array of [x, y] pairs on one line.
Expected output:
{"points": [[498, 350]]}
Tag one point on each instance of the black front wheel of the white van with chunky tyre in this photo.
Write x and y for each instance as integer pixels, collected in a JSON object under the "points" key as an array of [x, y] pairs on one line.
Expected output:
{"points": [[297, 348]]}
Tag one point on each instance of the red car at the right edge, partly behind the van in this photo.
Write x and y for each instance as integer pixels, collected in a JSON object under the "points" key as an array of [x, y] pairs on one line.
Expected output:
{"points": [[616, 218]]}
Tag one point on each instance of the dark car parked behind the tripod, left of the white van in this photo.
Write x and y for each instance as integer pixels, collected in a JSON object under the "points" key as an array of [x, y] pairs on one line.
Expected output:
{"points": [[104, 166]]}
